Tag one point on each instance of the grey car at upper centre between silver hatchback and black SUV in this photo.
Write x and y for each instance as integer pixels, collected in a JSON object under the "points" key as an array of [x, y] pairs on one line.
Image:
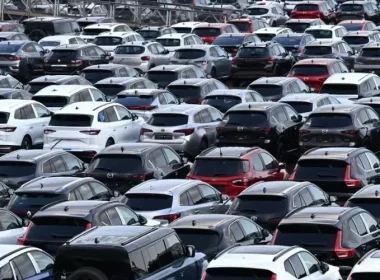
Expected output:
{"points": [[213, 59]]}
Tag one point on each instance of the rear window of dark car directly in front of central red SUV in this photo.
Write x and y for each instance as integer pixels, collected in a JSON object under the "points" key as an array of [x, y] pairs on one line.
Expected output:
{"points": [[260, 204]]}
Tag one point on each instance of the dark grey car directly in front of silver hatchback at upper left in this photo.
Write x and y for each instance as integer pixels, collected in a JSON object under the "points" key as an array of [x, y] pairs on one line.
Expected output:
{"points": [[95, 73]]}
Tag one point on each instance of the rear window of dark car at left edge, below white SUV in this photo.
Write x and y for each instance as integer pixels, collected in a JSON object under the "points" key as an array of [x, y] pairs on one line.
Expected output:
{"points": [[16, 169]]}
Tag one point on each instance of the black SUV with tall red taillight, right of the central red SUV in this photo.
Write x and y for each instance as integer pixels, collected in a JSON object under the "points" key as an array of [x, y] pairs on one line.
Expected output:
{"points": [[338, 171]]}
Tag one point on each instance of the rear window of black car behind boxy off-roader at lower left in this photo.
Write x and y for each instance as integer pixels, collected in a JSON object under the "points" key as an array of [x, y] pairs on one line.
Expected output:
{"points": [[60, 228]]}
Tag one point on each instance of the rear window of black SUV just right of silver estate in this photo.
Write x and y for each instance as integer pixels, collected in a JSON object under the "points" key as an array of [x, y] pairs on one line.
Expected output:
{"points": [[247, 119]]}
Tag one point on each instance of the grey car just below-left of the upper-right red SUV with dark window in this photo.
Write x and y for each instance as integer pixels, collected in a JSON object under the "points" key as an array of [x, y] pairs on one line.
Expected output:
{"points": [[274, 88]]}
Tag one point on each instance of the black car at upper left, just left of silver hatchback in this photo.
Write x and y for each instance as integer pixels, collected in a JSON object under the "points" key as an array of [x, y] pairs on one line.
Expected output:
{"points": [[72, 59]]}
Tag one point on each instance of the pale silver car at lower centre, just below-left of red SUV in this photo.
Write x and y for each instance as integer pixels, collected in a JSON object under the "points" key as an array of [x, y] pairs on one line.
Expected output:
{"points": [[170, 199]]}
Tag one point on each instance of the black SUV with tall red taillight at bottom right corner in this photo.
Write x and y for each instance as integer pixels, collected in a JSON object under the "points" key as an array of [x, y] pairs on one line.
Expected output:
{"points": [[337, 235]]}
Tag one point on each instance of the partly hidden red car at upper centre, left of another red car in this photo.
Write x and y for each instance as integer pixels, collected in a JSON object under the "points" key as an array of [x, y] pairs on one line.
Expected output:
{"points": [[209, 31]]}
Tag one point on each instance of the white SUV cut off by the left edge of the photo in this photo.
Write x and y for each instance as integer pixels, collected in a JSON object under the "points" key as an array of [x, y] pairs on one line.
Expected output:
{"points": [[22, 124]]}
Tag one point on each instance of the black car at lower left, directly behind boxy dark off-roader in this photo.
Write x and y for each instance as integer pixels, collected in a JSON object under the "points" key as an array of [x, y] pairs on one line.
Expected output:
{"points": [[59, 221]]}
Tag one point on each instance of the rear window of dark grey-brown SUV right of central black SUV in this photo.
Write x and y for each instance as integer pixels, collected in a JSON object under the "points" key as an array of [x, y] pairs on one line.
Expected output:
{"points": [[329, 120]]}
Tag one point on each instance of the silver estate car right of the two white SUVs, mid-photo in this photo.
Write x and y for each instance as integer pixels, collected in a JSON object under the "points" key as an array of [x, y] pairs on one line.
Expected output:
{"points": [[187, 128]]}
